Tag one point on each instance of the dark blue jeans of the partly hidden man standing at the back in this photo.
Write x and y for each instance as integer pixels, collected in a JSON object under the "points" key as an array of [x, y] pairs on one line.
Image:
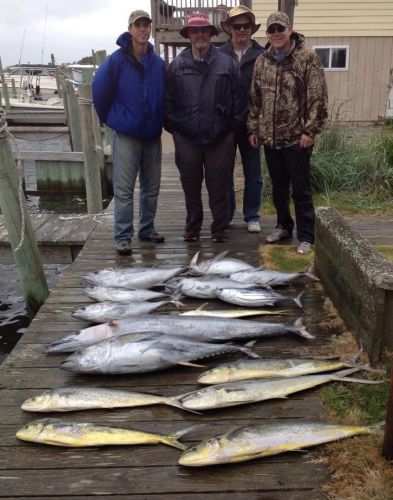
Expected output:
{"points": [[253, 182]]}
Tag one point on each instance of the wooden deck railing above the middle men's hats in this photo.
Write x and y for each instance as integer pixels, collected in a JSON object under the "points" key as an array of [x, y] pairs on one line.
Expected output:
{"points": [[171, 15]]}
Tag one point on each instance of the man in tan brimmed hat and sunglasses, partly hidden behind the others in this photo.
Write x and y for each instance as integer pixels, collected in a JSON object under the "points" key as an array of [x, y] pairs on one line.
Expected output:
{"points": [[240, 25]]}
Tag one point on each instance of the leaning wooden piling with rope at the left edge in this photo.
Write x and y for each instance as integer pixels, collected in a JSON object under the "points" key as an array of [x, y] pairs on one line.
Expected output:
{"points": [[20, 232]]}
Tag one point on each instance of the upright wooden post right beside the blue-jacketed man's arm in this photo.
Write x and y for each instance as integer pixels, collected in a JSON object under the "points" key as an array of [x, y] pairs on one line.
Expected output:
{"points": [[91, 159]]}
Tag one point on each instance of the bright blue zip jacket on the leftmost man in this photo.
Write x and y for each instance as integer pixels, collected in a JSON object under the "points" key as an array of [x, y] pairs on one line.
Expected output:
{"points": [[129, 95]]}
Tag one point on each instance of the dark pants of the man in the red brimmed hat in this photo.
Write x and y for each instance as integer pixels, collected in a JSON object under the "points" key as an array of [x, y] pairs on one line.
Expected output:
{"points": [[214, 162]]}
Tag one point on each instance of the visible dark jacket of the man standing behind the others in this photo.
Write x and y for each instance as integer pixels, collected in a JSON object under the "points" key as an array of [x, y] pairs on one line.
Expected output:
{"points": [[246, 67]]}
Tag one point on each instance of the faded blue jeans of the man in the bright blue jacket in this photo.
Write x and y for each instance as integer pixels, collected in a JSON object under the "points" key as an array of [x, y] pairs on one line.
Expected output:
{"points": [[132, 157]]}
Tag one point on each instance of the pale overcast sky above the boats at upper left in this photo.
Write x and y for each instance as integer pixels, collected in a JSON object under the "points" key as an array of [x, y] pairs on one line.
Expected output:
{"points": [[73, 28]]}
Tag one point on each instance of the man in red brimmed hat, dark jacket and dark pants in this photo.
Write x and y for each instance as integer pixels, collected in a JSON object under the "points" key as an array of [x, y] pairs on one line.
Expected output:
{"points": [[203, 108]]}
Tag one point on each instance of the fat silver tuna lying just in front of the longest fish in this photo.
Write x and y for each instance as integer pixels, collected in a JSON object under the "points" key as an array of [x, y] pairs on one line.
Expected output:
{"points": [[152, 352]]}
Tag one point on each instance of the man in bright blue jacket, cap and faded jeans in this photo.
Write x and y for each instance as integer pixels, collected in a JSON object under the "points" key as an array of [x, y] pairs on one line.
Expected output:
{"points": [[128, 94]]}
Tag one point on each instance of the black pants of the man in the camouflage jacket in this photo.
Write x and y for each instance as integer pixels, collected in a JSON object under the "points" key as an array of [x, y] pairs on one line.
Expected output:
{"points": [[290, 168]]}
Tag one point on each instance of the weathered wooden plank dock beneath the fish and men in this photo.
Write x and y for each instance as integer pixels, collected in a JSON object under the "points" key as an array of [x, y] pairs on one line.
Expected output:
{"points": [[140, 472]]}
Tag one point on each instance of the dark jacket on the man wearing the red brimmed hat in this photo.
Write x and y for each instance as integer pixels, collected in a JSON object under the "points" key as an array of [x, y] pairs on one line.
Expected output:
{"points": [[203, 99]]}
